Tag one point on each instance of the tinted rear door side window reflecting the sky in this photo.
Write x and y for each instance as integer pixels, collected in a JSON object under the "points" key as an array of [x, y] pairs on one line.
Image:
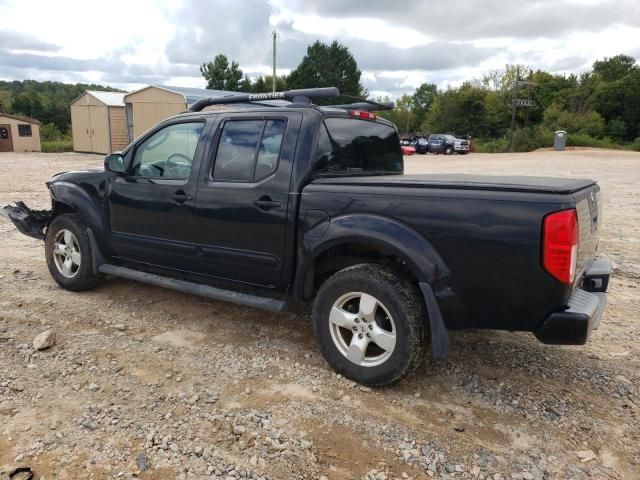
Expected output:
{"points": [[249, 149]]}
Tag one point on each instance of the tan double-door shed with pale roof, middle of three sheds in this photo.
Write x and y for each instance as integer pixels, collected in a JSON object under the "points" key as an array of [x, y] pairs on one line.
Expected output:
{"points": [[98, 122]]}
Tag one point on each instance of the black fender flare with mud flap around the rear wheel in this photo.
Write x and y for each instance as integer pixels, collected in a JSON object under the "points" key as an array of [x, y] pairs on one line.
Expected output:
{"points": [[398, 239]]}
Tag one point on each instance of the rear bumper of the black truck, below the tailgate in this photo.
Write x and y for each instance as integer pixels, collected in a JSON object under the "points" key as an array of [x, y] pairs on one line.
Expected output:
{"points": [[586, 305]]}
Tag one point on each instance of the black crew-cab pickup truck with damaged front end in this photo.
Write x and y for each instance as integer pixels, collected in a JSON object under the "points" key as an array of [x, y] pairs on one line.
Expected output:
{"points": [[292, 202]]}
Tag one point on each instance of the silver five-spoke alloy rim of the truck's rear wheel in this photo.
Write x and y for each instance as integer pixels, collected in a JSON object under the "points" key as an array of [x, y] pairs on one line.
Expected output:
{"points": [[362, 329]]}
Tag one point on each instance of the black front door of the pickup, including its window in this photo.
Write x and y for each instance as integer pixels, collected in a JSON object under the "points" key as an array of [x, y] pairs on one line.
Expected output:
{"points": [[151, 207]]}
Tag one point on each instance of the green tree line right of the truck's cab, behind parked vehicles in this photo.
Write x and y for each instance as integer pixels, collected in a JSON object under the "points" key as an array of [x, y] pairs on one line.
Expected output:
{"points": [[600, 107]]}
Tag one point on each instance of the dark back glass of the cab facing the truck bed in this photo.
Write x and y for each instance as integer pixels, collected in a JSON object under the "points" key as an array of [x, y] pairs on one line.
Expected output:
{"points": [[351, 146]]}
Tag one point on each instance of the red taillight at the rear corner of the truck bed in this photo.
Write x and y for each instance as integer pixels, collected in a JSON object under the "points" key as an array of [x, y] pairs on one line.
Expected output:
{"points": [[560, 245]]}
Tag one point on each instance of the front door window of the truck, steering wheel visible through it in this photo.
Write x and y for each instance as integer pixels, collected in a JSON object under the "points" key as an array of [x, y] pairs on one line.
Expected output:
{"points": [[168, 153]]}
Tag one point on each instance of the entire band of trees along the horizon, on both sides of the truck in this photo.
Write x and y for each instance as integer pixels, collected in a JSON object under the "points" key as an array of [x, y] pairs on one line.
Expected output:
{"points": [[600, 107]]}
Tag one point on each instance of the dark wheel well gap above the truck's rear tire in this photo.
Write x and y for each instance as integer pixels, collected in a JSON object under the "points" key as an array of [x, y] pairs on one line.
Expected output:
{"points": [[346, 255]]}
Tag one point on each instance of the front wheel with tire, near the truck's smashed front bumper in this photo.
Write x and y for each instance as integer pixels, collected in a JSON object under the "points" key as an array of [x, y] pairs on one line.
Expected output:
{"points": [[68, 253]]}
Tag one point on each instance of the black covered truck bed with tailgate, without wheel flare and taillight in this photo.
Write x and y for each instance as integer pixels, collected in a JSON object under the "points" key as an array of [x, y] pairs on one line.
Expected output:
{"points": [[488, 231]]}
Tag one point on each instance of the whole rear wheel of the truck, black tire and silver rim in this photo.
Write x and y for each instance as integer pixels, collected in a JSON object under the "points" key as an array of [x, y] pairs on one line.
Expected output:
{"points": [[398, 311]]}
